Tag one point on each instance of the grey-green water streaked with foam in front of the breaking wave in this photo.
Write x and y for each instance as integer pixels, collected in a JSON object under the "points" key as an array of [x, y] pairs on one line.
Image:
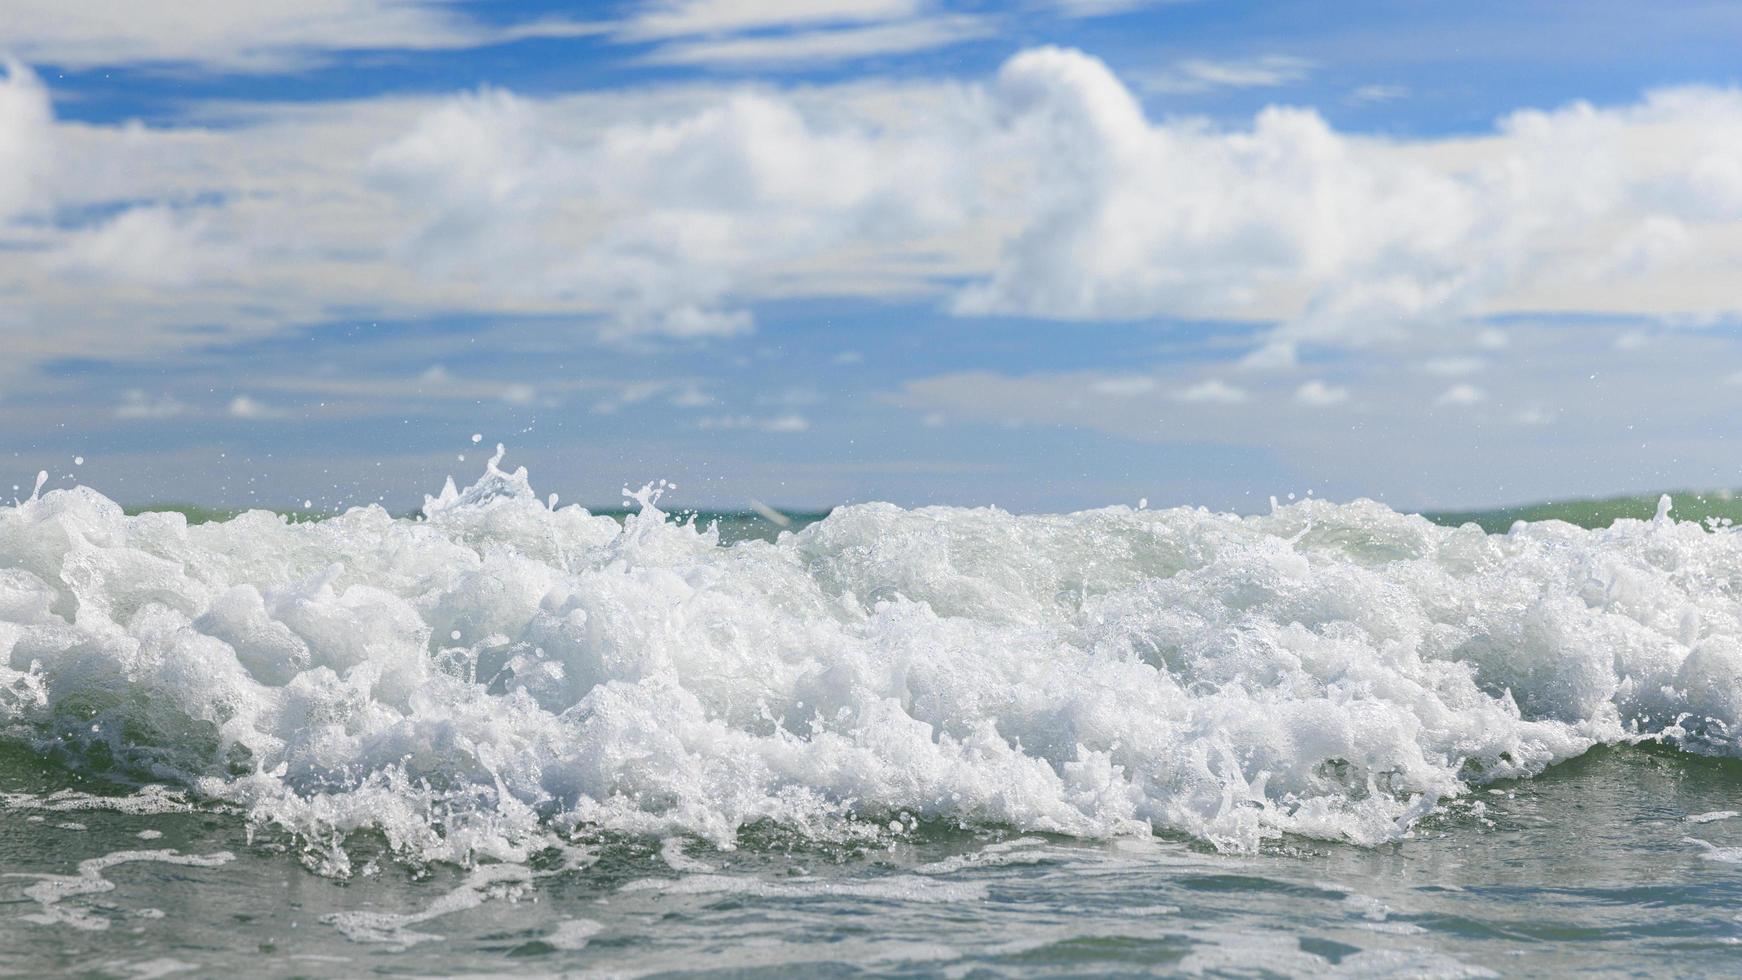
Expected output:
{"points": [[1617, 863]]}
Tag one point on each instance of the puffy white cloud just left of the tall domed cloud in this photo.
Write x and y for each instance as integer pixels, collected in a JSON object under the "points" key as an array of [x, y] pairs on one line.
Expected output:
{"points": [[656, 222]]}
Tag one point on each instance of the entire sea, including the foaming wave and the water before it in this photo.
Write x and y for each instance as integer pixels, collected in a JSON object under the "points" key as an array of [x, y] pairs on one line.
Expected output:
{"points": [[513, 739]]}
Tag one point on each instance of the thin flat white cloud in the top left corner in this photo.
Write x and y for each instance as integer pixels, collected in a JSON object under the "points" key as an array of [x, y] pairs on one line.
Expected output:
{"points": [[259, 36]]}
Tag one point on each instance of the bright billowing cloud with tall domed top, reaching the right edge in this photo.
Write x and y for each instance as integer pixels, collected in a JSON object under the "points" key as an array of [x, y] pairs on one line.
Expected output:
{"points": [[1351, 239]]}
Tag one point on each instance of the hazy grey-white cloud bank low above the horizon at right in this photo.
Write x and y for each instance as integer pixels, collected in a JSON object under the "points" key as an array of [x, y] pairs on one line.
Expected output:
{"points": [[1658, 408]]}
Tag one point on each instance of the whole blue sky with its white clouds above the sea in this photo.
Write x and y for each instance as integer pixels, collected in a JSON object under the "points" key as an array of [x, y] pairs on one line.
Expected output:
{"points": [[1043, 255]]}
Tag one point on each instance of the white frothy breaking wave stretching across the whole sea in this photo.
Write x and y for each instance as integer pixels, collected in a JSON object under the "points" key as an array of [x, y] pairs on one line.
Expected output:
{"points": [[1325, 669]]}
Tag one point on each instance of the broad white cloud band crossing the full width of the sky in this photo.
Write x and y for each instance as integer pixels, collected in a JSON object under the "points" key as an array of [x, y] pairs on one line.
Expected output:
{"points": [[1044, 192]]}
